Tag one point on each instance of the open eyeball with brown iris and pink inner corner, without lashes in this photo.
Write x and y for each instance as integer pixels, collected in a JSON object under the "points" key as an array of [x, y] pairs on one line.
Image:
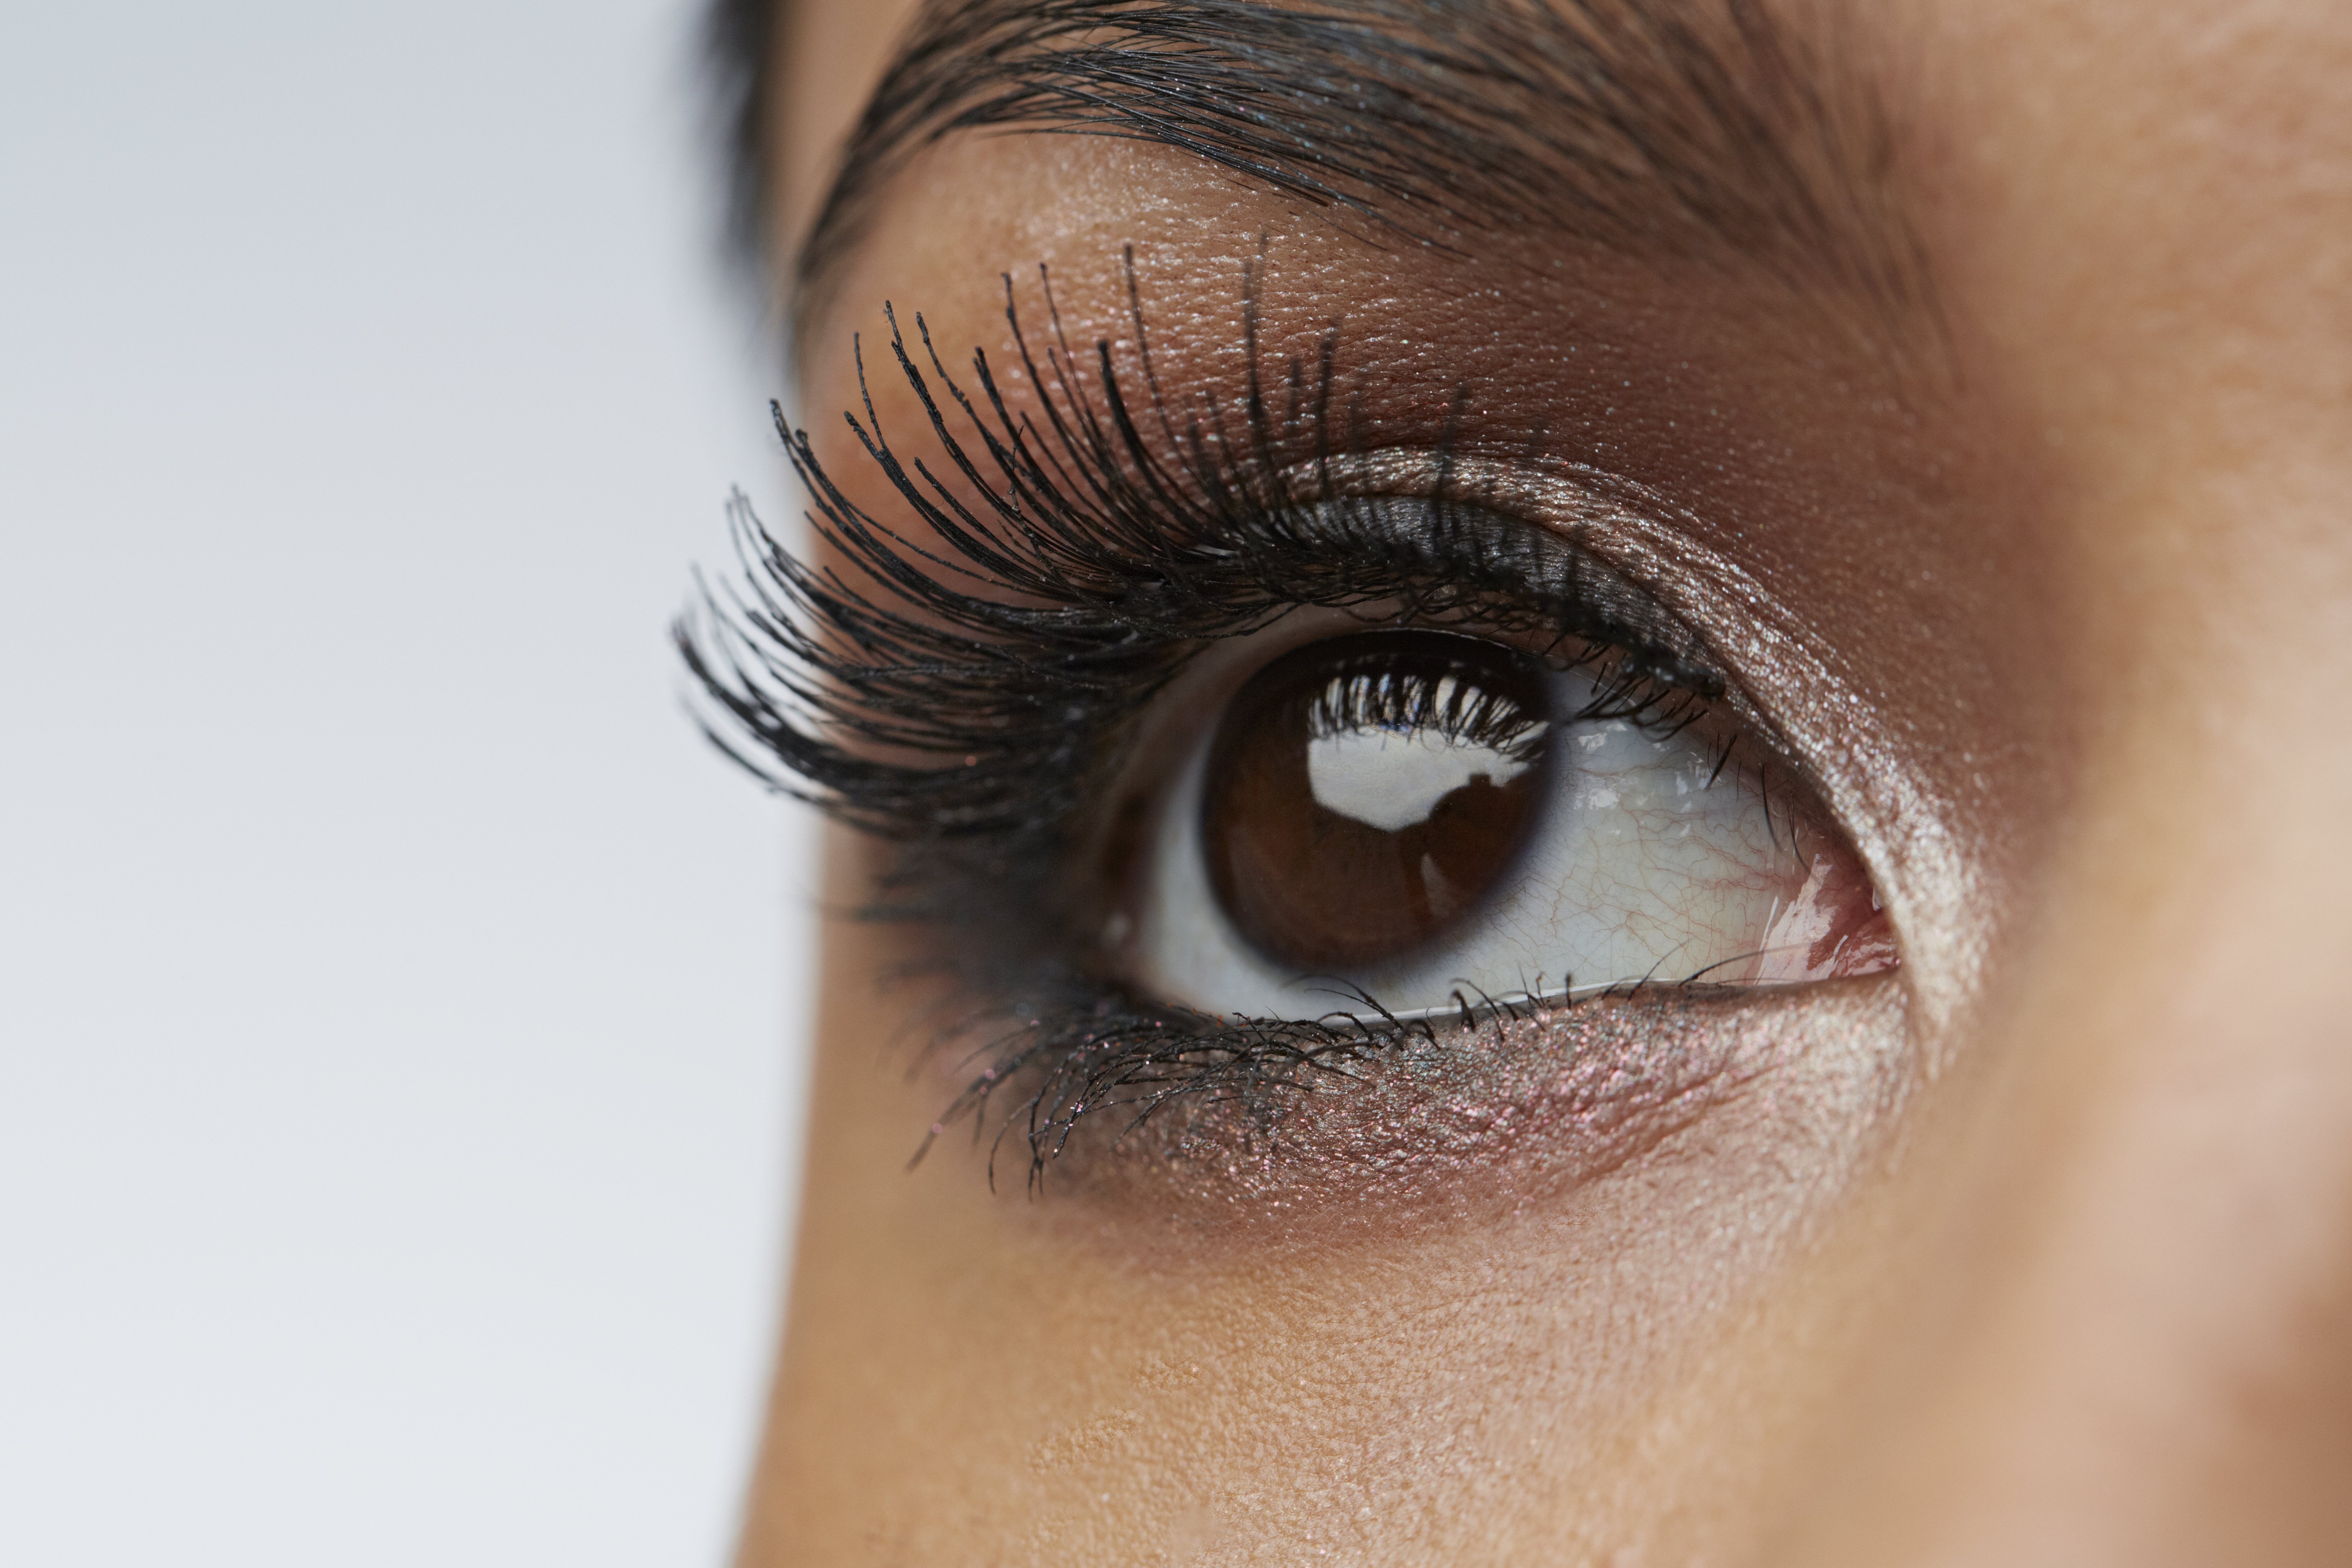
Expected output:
{"points": [[1408, 824]]}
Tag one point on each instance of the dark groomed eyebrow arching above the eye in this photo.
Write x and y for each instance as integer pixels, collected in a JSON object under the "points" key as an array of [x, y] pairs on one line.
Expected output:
{"points": [[1650, 126]]}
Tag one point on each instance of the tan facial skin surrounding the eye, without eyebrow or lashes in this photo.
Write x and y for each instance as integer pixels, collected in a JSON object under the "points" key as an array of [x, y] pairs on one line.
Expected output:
{"points": [[2031, 1252]]}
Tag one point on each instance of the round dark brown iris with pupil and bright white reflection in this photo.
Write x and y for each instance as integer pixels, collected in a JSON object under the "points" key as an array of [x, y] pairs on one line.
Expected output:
{"points": [[1370, 791]]}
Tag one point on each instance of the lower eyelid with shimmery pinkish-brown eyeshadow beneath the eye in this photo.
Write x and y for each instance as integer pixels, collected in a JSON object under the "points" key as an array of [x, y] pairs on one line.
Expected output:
{"points": [[1528, 1101]]}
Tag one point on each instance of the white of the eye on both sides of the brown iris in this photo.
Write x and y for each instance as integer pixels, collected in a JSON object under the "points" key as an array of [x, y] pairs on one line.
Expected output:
{"points": [[1636, 869]]}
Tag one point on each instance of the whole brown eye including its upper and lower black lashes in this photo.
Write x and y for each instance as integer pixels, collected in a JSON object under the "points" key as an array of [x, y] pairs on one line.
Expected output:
{"points": [[1231, 760]]}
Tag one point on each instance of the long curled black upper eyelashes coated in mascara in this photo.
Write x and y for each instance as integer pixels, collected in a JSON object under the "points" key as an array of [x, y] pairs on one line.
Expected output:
{"points": [[998, 650]]}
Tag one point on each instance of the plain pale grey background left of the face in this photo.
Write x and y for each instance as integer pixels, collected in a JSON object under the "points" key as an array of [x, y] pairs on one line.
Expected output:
{"points": [[401, 1012]]}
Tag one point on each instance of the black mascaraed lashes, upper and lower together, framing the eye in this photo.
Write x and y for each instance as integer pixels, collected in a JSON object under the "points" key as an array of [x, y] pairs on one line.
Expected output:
{"points": [[956, 681]]}
